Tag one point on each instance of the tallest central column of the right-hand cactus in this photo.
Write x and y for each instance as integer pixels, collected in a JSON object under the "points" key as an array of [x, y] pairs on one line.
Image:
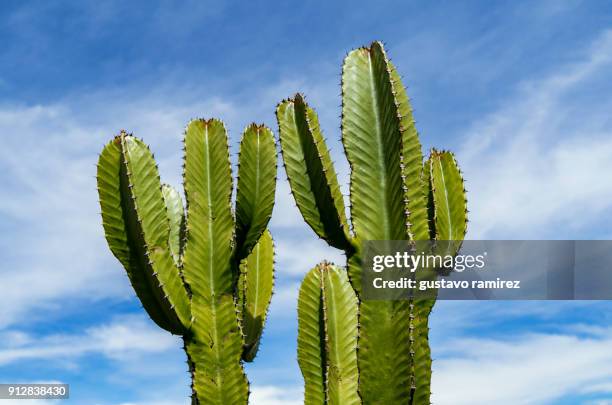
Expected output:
{"points": [[371, 133]]}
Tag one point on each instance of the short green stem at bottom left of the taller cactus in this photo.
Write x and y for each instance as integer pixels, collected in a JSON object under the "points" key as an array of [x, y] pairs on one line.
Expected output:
{"points": [[327, 337]]}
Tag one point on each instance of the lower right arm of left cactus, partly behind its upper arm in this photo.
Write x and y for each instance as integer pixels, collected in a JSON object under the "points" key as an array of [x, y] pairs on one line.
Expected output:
{"points": [[257, 280]]}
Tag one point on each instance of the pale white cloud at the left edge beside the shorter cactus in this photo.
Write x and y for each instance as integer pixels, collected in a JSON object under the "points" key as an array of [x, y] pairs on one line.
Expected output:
{"points": [[52, 244]]}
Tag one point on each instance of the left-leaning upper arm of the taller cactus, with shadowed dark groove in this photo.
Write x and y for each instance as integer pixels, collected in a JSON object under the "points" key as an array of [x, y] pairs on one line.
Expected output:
{"points": [[311, 172]]}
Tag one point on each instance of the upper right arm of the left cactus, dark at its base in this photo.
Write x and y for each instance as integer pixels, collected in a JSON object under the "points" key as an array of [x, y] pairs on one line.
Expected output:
{"points": [[256, 186]]}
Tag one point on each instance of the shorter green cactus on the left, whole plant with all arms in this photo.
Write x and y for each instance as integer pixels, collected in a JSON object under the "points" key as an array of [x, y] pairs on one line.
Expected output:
{"points": [[206, 275]]}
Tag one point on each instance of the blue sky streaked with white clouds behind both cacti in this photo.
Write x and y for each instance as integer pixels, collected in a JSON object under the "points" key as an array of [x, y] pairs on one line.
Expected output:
{"points": [[522, 91]]}
